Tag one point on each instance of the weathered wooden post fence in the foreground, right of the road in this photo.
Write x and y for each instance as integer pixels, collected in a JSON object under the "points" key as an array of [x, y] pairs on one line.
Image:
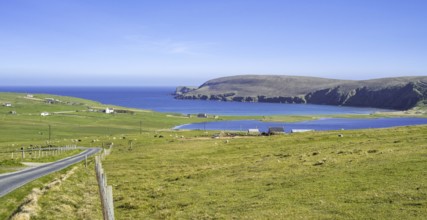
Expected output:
{"points": [[105, 192]]}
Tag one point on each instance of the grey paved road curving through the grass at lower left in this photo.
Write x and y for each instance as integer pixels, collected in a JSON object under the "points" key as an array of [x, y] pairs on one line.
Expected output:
{"points": [[12, 181]]}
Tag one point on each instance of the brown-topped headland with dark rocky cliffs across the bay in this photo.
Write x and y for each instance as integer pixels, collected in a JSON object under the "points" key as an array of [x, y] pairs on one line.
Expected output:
{"points": [[400, 93]]}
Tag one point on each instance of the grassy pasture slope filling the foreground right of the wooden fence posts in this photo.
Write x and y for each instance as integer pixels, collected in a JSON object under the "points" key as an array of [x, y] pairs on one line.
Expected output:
{"points": [[366, 174]]}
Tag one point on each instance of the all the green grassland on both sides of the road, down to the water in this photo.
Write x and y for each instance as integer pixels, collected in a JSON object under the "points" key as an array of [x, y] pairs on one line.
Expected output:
{"points": [[361, 174]]}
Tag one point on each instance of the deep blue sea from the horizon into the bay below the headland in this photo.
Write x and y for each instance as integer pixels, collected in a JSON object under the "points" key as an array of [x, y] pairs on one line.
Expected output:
{"points": [[160, 99]]}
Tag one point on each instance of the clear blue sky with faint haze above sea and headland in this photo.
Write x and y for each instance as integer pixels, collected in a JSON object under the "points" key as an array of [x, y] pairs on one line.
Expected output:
{"points": [[186, 42]]}
